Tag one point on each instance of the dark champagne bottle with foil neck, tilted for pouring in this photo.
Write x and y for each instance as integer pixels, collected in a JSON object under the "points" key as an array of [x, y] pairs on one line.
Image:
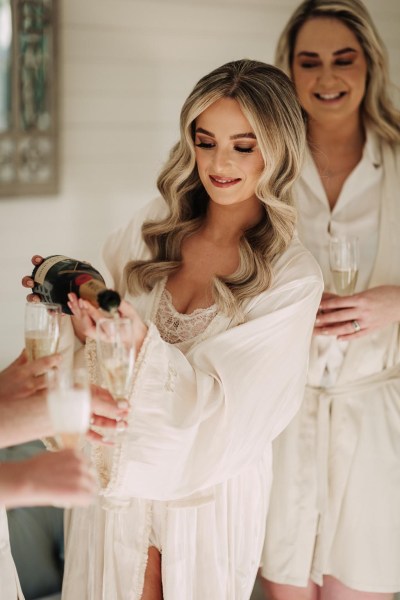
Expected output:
{"points": [[58, 275]]}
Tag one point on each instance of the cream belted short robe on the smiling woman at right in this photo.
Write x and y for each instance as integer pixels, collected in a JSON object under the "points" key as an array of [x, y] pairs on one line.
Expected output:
{"points": [[335, 502]]}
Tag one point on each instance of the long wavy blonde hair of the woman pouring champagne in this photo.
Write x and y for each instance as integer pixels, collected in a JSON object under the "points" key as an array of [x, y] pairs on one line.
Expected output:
{"points": [[267, 98]]}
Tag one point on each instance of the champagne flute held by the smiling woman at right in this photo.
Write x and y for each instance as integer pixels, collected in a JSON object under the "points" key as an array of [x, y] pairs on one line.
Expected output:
{"points": [[344, 261]]}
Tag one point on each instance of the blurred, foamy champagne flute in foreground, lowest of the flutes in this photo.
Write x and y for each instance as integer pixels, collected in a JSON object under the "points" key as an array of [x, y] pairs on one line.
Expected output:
{"points": [[69, 405]]}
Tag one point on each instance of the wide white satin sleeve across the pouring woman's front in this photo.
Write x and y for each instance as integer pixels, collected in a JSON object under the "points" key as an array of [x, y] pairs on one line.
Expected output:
{"points": [[199, 419]]}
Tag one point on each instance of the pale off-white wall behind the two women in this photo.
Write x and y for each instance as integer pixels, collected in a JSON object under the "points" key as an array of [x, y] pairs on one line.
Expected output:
{"points": [[126, 67]]}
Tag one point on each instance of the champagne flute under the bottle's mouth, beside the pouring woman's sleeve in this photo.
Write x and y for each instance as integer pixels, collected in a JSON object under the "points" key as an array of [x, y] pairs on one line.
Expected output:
{"points": [[116, 355]]}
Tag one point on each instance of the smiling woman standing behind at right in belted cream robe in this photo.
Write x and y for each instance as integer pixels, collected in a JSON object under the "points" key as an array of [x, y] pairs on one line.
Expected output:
{"points": [[333, 528]]}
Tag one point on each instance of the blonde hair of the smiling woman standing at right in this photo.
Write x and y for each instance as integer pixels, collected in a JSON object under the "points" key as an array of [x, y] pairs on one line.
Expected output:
{"points": [[377, 107]]}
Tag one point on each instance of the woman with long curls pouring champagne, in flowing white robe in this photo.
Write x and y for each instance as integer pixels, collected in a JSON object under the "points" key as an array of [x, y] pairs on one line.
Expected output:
{"points": [[223, 299]]}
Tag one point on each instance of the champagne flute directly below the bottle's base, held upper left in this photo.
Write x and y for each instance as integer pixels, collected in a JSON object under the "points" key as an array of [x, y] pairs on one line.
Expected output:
{"points": [[42, 329]]}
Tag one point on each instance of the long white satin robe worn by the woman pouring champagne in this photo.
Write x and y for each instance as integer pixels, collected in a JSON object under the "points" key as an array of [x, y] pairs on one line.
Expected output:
{"points": [[199, 440]]}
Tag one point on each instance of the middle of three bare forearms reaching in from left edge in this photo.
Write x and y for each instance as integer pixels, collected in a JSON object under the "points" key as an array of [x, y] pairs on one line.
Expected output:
{"points": [[23, 420]]}
